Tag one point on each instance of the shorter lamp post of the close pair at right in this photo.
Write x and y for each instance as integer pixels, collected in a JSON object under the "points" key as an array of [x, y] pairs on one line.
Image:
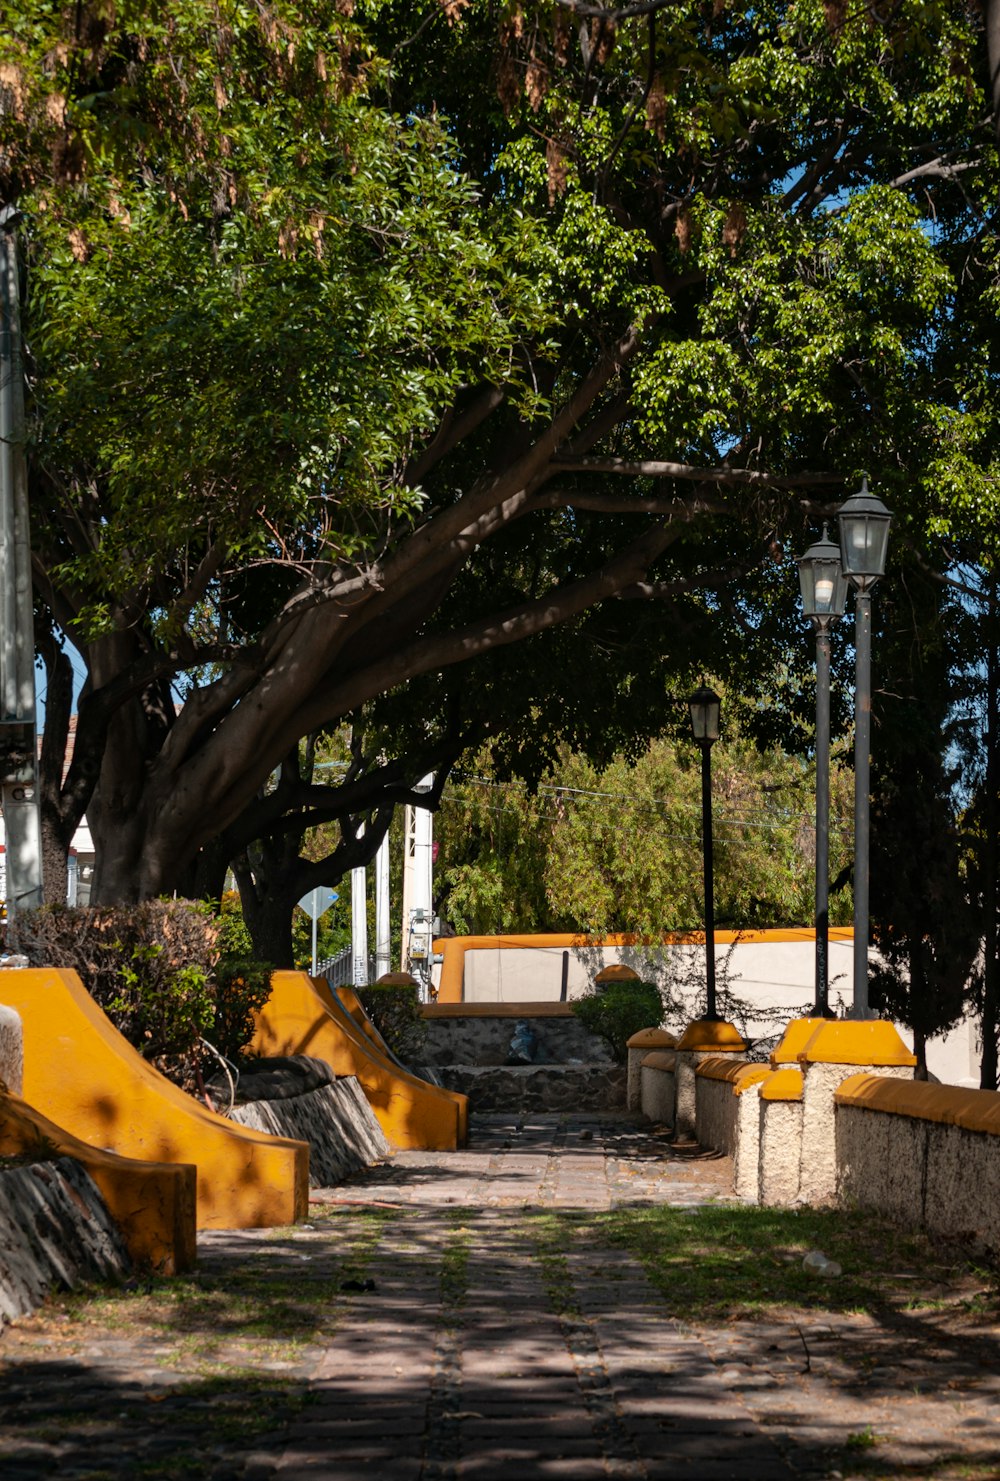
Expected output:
{"points": [[824, 596]]}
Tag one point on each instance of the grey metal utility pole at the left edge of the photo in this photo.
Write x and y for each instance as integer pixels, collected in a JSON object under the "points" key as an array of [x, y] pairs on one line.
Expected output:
{"points": [[19, 747]]}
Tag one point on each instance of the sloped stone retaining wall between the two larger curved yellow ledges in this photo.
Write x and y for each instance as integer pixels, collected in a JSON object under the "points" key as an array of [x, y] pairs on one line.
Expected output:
{"points": [[336, 1120]]}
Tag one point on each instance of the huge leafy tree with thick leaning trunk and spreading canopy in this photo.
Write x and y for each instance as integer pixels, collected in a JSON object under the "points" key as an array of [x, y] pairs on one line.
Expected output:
{"points": [[316, 415]]}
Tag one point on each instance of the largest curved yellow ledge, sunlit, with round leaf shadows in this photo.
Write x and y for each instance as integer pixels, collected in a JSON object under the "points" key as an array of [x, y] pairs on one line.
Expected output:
{"points": [[82, 1074]]}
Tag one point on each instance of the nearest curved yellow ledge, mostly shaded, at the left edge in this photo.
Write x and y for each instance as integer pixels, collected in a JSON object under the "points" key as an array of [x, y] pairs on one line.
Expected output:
{"points": [[152, 1203]]}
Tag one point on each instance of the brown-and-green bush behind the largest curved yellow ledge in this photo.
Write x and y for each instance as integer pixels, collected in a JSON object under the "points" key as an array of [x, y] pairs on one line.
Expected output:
{"points": [[155, 972]]}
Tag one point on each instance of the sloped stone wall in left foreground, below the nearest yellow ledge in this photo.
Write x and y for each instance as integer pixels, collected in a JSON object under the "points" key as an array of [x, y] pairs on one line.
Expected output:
{"points": [[56, 1233]]}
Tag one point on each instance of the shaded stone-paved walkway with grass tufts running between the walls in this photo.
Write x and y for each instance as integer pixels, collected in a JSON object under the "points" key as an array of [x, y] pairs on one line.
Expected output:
{"points": [[419, 1329]]}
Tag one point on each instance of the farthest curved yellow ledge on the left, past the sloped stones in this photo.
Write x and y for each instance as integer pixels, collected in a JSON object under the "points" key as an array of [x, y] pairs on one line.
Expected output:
{"points": [[301, 1018]]}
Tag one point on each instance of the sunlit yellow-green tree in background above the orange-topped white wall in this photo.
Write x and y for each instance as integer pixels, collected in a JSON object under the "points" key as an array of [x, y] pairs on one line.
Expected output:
{"points": [[619, 849]]}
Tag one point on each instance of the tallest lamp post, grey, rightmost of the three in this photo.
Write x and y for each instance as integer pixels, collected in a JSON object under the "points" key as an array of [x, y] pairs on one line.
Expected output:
{"points": [[864, 538]]}
